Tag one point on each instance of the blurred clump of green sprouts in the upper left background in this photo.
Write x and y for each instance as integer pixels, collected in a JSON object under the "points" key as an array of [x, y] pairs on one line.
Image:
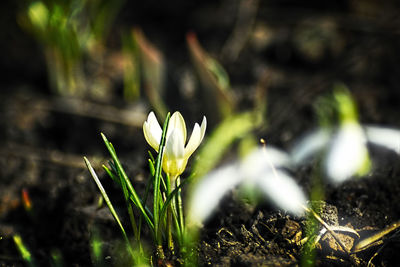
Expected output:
{"points": [[69, 32]]}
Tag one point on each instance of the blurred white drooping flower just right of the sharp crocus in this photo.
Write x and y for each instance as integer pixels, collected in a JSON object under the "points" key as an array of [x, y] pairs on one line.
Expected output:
{"points": [[257, 170]]}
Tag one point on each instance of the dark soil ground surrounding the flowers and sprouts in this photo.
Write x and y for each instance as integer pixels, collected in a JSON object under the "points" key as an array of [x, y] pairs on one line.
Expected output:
{"points": [[301, 49]]}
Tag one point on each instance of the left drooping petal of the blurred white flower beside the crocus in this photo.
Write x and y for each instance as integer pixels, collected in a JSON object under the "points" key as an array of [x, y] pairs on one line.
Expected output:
{"points": [[209, 192]]}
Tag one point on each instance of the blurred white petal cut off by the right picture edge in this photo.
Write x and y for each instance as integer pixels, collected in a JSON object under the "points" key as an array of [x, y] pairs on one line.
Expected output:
{"points": [[386, 137]]}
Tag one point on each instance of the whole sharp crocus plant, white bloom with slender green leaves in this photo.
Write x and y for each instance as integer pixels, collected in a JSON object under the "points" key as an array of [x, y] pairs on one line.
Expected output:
{"points": [[166, 218]]}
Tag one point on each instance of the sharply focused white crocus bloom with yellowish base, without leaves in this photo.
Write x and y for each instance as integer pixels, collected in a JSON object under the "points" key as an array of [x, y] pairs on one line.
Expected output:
{"points": [[177, 152]]}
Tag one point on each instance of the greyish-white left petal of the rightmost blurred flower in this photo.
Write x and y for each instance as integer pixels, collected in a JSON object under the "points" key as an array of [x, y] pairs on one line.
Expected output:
{"points": [[310, 145]]}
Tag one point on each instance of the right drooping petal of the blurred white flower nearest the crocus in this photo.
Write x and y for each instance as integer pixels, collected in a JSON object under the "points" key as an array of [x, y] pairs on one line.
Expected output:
{"points": [[283, 191]]}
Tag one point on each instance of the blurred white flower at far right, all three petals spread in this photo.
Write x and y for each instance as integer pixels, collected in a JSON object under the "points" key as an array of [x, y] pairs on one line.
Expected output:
{"points": [[346, 148]]}
